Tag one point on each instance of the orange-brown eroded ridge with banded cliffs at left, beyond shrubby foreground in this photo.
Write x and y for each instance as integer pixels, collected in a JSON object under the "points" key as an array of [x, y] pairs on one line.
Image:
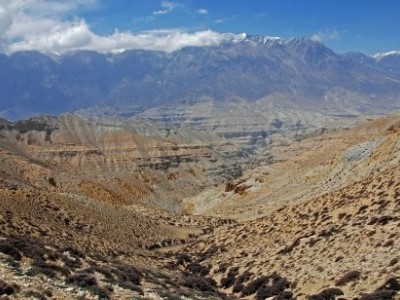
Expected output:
{"points": [[112, 162]]}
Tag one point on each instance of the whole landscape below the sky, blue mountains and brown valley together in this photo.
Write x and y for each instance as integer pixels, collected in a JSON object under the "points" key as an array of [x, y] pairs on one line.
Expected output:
{"points": [[258, 168]]}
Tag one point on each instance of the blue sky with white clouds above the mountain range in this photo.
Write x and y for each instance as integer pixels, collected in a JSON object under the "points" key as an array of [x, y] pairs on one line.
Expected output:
{"points": [[58, 26]]}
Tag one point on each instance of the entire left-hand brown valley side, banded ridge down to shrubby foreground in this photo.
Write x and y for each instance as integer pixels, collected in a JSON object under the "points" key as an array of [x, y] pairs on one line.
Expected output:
{"points": [[84, 206]]}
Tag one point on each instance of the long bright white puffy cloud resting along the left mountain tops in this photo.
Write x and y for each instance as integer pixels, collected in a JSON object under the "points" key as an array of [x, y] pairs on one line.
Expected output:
{"points": [[78, 36]]}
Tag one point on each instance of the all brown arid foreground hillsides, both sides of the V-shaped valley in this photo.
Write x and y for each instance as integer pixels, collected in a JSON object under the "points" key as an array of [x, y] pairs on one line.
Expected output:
{"points": [[93, 211]]}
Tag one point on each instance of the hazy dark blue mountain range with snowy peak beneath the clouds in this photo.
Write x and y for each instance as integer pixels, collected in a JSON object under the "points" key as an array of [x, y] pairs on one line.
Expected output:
{"points": [[250, 68]]}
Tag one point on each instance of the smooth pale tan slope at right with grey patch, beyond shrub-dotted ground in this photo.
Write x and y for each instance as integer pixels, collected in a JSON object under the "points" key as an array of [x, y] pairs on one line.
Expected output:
{"points": [[297, 171]]}
